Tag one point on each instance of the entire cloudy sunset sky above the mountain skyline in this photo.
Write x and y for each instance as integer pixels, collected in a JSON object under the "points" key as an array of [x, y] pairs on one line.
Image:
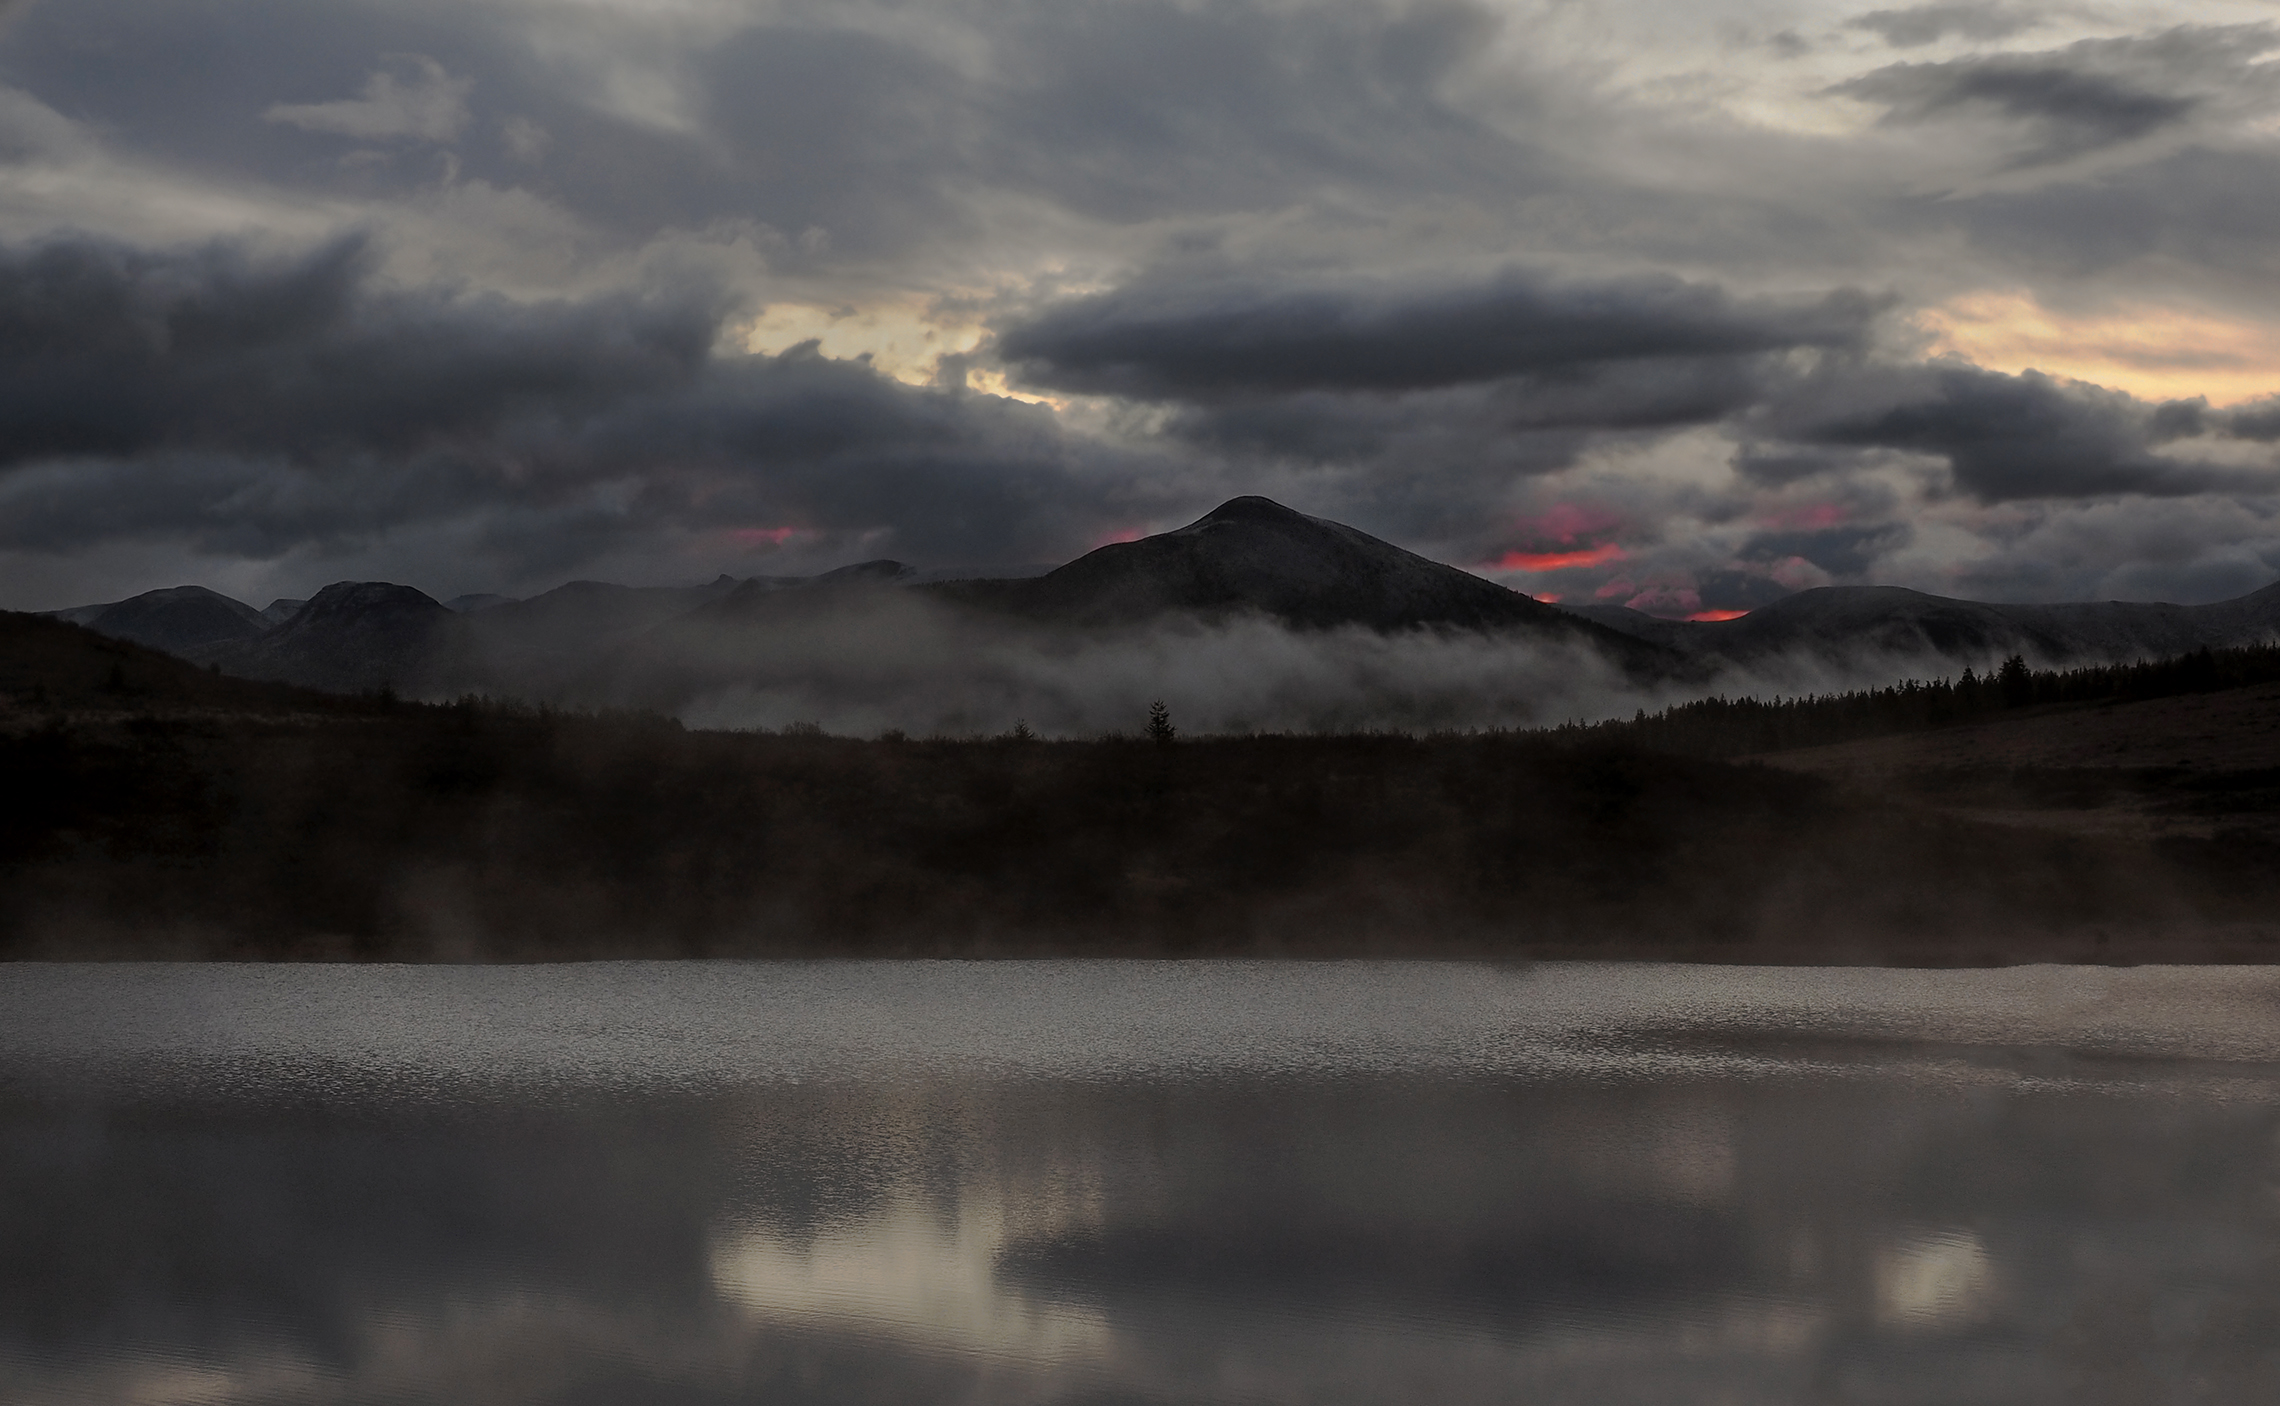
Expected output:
{"points": [[1638, 302]]}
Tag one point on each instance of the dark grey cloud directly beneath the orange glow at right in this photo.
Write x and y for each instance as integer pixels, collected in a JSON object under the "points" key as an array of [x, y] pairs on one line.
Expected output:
{"points": [[2005, 439]]}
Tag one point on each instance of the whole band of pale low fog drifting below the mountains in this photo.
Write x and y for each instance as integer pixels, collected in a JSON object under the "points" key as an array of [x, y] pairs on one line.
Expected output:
{"points": [[893, 662]]}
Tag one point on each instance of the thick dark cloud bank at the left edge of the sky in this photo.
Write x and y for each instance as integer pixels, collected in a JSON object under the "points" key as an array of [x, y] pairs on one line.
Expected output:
{"points": [[117, 352]]}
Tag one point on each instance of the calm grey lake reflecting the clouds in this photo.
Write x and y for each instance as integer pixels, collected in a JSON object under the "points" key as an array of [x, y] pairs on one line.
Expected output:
{"points": [[1116, 1184]]}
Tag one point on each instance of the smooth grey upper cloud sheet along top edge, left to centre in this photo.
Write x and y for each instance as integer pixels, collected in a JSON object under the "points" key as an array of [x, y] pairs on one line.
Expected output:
{"points": [[881, 131]]}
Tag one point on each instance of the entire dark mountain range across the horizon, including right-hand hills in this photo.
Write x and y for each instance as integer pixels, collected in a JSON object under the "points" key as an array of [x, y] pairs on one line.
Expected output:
{"points": [[1251, 557]]}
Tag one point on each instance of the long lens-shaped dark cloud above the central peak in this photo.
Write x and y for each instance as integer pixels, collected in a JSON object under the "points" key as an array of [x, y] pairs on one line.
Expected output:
{"points": [[1210, 343]]}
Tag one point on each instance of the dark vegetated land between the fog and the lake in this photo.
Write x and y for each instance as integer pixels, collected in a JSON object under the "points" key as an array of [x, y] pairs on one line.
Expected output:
{"points": [[158, 810]]}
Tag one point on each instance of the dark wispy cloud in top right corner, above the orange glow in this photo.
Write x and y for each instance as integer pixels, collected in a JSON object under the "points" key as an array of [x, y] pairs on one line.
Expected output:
{"points": [[2085, 97]]}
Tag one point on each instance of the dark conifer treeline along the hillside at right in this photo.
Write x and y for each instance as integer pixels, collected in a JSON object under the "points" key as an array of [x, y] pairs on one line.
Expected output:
{"points": [[1748, 726]]}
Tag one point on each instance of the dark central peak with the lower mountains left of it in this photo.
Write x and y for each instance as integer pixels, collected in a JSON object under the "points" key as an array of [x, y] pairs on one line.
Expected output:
{"points": [[1248, 557]]}
